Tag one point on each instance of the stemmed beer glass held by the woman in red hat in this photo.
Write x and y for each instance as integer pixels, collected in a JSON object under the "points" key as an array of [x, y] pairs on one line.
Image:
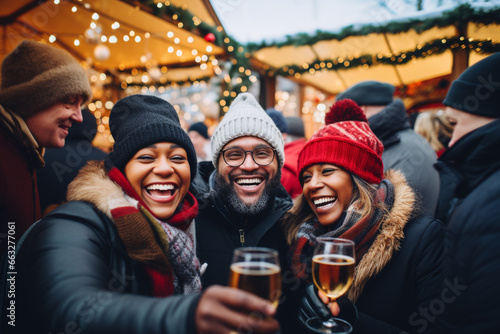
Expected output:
{"points": [[333, 273]]}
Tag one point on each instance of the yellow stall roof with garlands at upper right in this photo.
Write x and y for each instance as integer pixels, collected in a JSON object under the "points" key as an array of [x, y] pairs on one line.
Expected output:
{"points": [[401, 51]]}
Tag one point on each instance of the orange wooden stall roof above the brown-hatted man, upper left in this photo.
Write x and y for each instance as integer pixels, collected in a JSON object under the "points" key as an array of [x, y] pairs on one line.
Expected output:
{"points": [[141, 40]]}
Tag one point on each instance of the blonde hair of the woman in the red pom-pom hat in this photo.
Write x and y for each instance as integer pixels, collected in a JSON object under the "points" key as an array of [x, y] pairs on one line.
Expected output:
{"points": [[363, 197]]}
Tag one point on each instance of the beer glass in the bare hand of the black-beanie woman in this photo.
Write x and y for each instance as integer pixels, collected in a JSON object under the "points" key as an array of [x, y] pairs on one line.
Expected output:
{"points": [[257, 270]]}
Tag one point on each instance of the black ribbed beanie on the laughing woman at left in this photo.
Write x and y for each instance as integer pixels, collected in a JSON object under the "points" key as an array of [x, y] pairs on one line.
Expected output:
{"points": [[138, 121]]}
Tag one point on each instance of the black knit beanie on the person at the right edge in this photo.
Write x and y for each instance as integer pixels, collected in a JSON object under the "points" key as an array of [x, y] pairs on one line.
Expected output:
{"points": [[477, 90]]}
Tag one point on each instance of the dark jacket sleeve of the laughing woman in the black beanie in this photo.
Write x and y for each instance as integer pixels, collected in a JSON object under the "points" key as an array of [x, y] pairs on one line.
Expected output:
{"points": [[86, 283]]}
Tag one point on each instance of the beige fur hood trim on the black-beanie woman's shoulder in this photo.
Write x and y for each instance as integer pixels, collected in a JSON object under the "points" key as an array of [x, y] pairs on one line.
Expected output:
{"points": [[92, 184]]}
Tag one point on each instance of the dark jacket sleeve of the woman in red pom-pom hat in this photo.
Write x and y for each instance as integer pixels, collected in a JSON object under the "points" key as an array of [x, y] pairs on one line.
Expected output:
{"points": [[391, 300]]}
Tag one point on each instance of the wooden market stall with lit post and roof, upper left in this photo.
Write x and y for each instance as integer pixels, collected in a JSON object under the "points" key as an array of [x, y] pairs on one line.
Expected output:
{"points": [[126, 46]]}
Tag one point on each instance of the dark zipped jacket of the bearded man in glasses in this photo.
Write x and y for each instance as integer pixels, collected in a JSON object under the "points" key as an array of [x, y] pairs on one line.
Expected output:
{"points": [[218, 234]]}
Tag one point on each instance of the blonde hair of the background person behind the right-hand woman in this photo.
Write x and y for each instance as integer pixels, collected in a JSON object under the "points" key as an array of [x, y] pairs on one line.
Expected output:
{"points": [[435, 128]]}
